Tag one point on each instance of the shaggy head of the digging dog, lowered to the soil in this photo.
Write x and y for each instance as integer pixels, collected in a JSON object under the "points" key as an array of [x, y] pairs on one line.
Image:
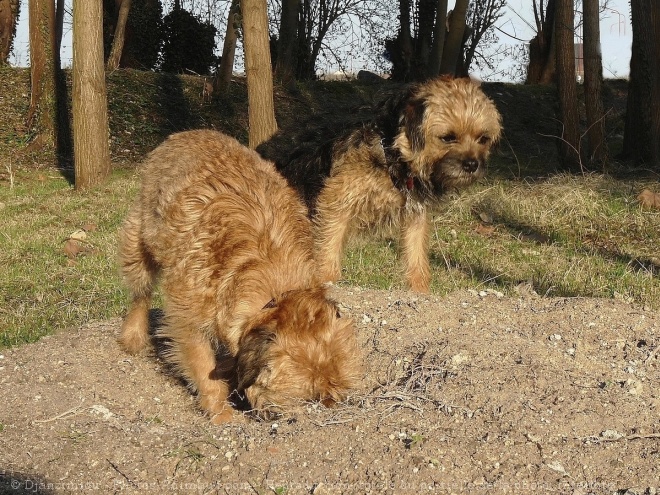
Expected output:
{"points": [[299, 348]]}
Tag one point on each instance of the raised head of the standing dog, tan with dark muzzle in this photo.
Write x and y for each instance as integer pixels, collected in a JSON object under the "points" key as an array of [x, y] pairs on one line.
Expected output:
{"points": [[447, 128]]}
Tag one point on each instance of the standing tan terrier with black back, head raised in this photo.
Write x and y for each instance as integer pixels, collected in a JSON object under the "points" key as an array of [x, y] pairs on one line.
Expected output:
{"points": [[424, 142]]}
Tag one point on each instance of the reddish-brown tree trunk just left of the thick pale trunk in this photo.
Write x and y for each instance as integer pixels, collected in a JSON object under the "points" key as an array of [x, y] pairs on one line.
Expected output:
{"points": [[44, 61]]}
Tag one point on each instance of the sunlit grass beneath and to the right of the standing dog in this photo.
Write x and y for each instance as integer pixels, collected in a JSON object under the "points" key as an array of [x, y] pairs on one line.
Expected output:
{"points": [[566, 236]]}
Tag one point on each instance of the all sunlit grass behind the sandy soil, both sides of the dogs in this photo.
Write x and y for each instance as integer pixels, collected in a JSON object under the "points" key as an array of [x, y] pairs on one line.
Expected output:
{"points": [[565, 235]]}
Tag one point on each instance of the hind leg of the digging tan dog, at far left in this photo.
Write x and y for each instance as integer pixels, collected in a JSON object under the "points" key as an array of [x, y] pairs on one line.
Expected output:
{"points": [[139, 271]]}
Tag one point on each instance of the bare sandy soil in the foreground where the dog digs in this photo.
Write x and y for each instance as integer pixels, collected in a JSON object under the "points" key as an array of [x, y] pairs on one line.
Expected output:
{"points": [[469, 393]]}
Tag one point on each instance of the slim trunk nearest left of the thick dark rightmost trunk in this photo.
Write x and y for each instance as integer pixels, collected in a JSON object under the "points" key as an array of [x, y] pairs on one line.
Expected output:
{"points": [[593, 76]]}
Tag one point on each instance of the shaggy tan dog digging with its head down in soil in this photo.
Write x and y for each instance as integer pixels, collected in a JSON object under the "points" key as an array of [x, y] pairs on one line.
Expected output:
{"points": [[233, 245]]}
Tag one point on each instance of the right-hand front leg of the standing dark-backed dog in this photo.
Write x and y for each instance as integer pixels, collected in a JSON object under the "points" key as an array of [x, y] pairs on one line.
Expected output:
{"points": [[415, 246]]}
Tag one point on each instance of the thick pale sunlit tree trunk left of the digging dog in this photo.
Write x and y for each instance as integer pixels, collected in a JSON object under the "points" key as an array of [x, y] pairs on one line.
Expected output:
{"points": [[90, 111]]}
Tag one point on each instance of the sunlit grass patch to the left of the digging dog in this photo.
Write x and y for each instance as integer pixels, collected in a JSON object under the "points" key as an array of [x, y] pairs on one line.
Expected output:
{"points": [[43, 290]]}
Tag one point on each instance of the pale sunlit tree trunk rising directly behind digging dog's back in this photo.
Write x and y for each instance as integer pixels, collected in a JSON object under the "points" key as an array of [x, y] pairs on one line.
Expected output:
{"points": [[261, 109]]}
